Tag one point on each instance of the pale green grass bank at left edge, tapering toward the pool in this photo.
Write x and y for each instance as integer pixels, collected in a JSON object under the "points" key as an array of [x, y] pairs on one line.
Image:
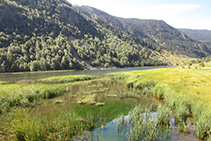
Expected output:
{"points": [[23, 95]]}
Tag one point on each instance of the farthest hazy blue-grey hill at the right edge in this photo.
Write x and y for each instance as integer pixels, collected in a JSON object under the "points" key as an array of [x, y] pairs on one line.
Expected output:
{"points": [[202, 35]]}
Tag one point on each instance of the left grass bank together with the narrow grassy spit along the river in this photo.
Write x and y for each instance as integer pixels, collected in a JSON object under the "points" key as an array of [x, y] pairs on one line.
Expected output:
{"points": [[22, 94]]}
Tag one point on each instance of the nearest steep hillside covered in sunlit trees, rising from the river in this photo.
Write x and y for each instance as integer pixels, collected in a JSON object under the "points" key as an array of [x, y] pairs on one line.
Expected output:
{"points": [[52, 35]]}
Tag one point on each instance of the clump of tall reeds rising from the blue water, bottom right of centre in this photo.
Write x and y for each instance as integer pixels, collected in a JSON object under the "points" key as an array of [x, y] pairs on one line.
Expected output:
{"points": [[148, 127]]}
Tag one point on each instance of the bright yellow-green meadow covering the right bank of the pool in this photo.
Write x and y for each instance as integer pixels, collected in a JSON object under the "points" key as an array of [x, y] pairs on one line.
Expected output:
{"points": [[184, 91]]}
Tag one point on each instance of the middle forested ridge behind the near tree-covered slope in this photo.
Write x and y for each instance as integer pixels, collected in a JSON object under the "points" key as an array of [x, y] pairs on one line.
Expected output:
{"points": [[156, 31]]}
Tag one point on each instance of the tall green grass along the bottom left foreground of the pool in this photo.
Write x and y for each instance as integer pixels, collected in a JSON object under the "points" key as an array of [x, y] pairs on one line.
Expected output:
{"points": [[34, 128]]}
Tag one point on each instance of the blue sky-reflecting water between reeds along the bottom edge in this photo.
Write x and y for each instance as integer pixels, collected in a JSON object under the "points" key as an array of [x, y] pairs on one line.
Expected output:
{"points": [[110, 131]]}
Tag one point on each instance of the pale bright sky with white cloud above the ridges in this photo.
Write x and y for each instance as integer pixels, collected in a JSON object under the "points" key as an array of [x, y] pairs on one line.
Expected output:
{"points": [[191, 14]]}
